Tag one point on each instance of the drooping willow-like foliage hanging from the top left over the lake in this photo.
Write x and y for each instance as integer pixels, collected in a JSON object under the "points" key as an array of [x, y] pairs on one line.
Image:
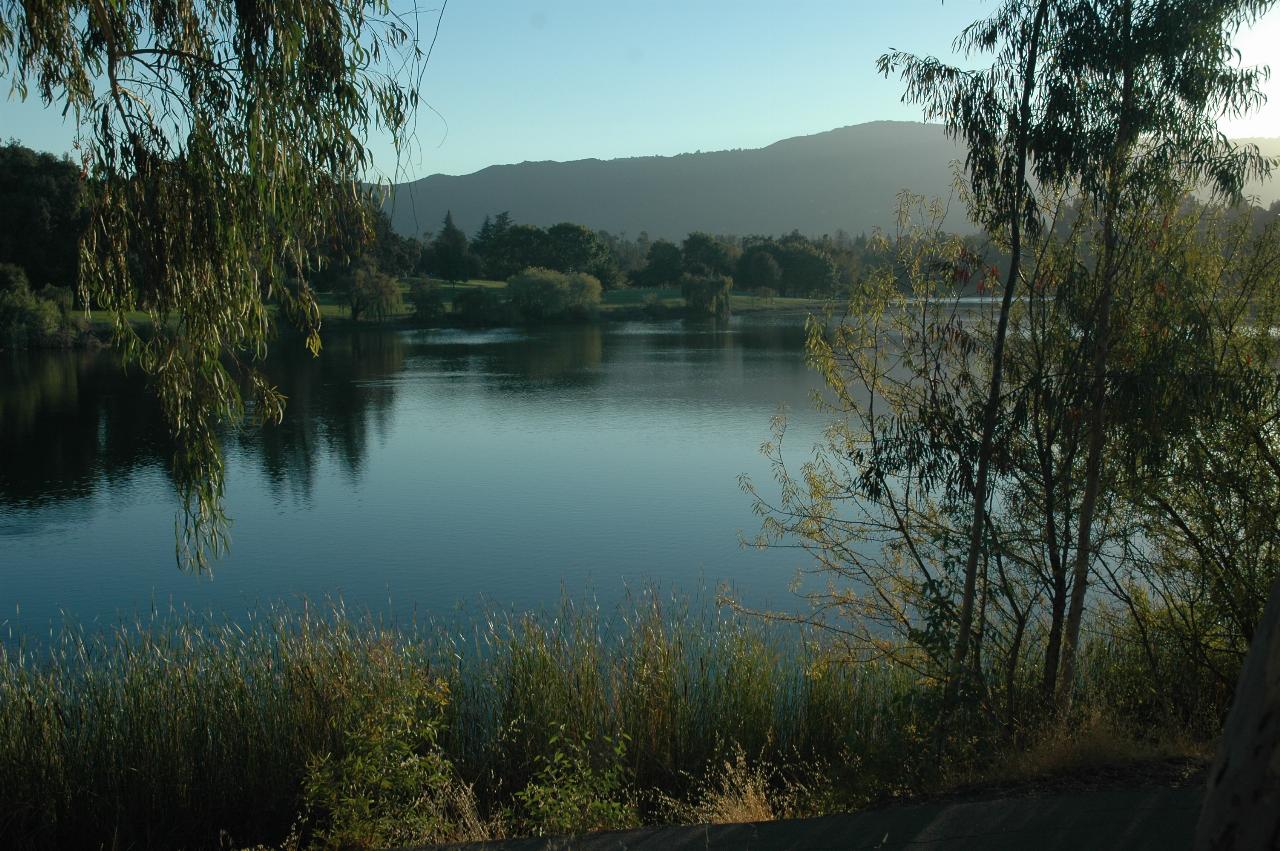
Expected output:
{"points": [[223, 143]]}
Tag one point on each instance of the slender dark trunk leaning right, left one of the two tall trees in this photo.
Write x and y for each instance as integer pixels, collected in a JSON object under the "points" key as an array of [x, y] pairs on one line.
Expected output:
{"points": [[998, 370]]}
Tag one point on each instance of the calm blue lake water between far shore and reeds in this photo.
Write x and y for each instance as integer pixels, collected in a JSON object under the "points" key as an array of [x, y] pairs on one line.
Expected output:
{"points": [[415, 472]]}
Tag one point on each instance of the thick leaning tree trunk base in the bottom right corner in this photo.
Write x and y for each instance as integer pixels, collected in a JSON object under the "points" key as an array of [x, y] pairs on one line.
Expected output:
{"points": [[1242, 804]]}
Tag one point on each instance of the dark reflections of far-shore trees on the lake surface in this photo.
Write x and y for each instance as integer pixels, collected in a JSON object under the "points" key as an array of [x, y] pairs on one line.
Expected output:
{"points": [[71, 422]]}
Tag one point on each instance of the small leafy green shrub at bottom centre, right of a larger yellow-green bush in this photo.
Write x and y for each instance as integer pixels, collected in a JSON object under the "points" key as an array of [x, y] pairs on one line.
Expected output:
{"points": [[568, 795]]}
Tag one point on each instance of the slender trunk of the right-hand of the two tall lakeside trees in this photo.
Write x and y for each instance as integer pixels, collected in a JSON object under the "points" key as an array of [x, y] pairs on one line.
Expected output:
{"points": [[1098, 394]]}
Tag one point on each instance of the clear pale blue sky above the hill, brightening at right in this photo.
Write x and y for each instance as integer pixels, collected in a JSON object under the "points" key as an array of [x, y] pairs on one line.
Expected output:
{"points": [[563, 80]]}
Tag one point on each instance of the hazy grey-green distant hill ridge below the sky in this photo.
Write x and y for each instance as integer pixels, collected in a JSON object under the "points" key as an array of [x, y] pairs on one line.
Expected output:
{"points": [[847, 180]]}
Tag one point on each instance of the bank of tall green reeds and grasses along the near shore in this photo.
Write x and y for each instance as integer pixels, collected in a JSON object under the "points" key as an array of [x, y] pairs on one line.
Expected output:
{"points": [[318, 729]]}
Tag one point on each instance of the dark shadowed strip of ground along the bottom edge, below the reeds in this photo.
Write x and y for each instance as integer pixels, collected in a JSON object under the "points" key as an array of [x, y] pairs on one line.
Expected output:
{"points": [[1135, 808]]}
